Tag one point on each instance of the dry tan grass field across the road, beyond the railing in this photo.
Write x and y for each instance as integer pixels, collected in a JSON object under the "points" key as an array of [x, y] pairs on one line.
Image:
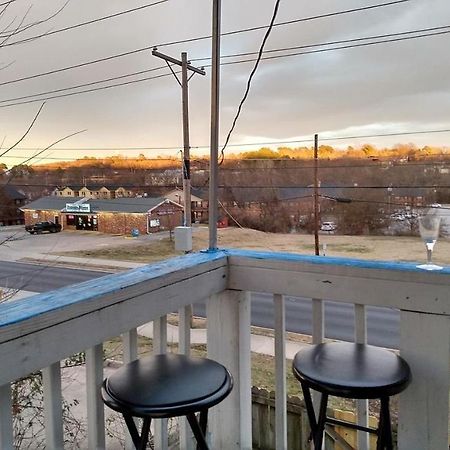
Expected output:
{"points": [[388, 248]]}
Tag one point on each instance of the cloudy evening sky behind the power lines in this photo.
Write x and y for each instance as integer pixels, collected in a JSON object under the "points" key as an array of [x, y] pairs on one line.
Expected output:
{"points": [[386, 88]]}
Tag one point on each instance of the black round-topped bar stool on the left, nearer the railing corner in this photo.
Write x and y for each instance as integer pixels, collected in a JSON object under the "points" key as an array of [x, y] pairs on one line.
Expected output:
{"points": [[164, 386]]}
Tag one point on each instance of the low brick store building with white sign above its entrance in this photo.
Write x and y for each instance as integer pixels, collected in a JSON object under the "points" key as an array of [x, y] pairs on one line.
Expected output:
{"points": [[115, 216]]}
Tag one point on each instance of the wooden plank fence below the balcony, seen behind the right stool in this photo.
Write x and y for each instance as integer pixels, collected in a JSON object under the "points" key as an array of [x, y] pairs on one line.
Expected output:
{"points": [[263, 425]]}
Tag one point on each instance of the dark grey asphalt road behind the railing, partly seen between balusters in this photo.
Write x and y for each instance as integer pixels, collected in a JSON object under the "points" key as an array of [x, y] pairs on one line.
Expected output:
{"points": [[382, 323]]}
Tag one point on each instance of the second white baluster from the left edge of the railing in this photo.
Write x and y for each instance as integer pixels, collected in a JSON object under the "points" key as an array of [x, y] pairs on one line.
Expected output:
{"points": [[51, 379]]}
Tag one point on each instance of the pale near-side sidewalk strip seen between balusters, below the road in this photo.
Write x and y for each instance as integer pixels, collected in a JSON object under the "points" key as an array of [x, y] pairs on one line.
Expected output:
{"points": [[259, 344]]}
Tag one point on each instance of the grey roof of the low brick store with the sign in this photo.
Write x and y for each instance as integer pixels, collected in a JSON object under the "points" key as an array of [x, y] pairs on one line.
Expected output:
{"points": [[124, 205]]}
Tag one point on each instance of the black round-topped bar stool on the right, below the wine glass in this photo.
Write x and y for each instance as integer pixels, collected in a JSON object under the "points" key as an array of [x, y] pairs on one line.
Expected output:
{"points": [[349, 370]]}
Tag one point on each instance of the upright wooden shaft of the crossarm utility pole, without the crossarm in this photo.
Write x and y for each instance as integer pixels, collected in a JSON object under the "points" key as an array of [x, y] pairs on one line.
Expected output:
{"points": [[186, 156]]}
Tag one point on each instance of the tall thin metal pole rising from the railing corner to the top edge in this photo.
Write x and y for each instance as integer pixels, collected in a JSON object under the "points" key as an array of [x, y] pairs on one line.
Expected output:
{"points": [[214, 151]]}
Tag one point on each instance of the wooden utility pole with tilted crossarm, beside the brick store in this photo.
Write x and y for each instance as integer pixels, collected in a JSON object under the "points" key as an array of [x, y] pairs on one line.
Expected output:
{"points": [[185, 67]]}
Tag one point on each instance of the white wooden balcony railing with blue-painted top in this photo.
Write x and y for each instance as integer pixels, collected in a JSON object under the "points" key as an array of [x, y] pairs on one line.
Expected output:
{"points": [[36, 333]]}
